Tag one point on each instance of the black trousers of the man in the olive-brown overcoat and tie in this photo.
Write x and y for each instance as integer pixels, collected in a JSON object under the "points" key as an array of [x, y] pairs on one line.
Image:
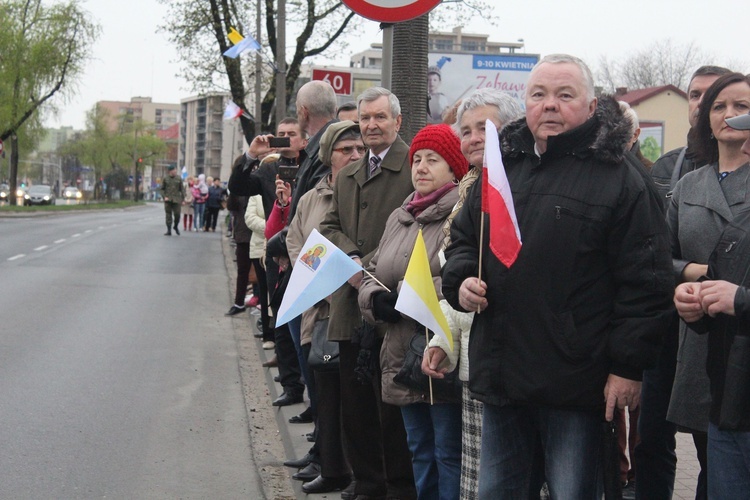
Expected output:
{"points": [[374, 435]]}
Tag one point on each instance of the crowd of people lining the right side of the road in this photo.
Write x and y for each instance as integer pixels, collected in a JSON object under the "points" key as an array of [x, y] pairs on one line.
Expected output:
{"points": [[570, 370]]}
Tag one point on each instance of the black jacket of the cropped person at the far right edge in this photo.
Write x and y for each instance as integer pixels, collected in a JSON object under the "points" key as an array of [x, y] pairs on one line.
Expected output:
{"points": [[729, 336]]}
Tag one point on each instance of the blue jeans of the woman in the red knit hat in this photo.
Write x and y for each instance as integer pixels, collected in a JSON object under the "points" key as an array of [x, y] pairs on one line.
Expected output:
{"points": [[434, 436]]}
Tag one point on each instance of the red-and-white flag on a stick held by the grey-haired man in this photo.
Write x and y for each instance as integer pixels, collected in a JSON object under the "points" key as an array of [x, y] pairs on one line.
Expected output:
{"points": [[497, 201]]}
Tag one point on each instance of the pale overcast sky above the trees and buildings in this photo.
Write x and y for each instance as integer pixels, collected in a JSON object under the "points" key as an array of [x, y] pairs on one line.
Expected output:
{"points": [[133, 59]]}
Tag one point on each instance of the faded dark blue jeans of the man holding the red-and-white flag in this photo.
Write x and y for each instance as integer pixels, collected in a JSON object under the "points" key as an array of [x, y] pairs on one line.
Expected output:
{"points": [[570, 442]]}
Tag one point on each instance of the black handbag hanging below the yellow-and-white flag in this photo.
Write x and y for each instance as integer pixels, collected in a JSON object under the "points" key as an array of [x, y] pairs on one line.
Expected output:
{"points": [[447, 389]]}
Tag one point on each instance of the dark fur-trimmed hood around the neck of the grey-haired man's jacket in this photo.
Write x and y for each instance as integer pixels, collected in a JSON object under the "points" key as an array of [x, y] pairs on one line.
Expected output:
{"points": [[602, 137]]}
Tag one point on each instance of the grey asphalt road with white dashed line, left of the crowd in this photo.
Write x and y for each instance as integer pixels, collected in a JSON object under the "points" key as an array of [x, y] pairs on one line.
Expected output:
{"points": [[119, 373]]}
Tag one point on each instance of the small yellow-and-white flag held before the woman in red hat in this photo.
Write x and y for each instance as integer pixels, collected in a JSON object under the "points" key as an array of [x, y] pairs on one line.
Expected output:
{"points": [[418, 298]]}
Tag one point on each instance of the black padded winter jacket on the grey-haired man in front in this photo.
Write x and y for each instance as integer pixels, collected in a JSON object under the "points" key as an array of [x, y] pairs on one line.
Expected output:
{"points": [[590, 292]]}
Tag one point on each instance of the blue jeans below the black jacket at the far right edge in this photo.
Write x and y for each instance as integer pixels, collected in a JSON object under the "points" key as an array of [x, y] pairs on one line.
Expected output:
{"points": [[728, 464]]}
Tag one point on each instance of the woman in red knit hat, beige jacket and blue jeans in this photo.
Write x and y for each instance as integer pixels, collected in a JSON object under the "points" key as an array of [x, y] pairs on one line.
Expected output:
{"points": [[433, 430]]}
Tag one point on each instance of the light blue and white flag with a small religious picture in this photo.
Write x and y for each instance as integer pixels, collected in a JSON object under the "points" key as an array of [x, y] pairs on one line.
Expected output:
{"points": [[320, 270]]}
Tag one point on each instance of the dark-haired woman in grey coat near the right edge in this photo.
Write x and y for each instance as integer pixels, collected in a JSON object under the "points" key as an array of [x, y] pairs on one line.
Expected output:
{"points": [[703, 203]]}
